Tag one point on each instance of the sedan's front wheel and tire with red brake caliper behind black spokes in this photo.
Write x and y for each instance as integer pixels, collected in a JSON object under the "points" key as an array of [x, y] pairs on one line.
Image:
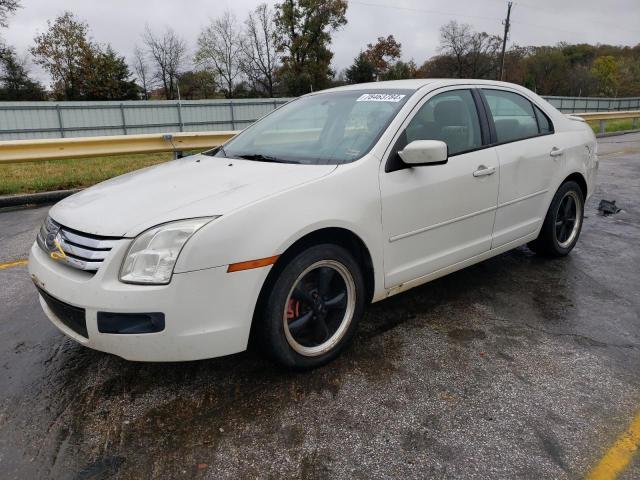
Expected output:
{"points": [[305, 295]]}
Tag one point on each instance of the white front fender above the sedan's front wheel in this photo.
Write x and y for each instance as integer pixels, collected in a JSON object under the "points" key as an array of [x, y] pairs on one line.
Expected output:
{"points": [[347, 198]]}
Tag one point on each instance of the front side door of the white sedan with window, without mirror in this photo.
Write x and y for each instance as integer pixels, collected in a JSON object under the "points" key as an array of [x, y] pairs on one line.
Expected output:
{"points": [[435, 216]]}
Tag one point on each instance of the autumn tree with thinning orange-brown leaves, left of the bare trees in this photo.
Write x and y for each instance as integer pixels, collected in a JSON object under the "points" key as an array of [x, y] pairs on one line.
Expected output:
{"points": [[61, 51]]}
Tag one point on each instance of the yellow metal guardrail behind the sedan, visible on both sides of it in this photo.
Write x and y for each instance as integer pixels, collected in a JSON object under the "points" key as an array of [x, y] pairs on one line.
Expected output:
{"points": [[13, 151]]}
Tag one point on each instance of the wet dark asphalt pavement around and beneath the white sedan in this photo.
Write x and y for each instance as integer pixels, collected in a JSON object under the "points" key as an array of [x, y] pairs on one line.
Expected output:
{"points": [[519, 367]]}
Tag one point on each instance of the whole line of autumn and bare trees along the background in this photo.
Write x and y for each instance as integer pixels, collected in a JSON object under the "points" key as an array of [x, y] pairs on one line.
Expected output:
{"points": [[285, 50]]}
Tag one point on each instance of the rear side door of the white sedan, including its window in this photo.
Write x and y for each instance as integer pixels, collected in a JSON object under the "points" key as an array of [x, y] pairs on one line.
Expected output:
{"points": [[528, 160]]}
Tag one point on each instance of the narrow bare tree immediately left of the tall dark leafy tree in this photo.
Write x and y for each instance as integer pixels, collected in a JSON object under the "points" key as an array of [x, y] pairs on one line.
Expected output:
{"points": [[259, 54]]}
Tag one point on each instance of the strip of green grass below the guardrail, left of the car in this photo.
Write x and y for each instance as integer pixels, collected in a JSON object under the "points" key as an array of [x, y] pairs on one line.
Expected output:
{"points": [[33, 177]]}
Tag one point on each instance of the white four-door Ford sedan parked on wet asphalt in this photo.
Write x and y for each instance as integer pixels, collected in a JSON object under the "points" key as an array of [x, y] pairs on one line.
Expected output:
{"points": [[339, 198]]}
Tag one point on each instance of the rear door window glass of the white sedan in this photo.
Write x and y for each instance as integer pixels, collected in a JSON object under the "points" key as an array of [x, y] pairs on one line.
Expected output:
{"points": [[512, 114]]}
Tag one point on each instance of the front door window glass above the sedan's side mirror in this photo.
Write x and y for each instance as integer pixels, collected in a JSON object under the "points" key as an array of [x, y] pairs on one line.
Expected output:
{"points": [[450, 117]]}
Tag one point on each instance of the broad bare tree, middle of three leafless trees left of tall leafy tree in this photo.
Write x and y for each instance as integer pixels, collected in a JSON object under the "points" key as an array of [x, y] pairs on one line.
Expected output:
{"points": [[220, 48]]}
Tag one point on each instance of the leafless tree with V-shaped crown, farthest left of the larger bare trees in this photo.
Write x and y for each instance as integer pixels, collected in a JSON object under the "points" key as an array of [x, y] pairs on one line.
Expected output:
{"points": [[168, 52]]}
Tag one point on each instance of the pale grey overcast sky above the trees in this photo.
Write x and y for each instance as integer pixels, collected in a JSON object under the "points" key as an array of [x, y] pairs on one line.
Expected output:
{"points": [[414, 23]]}
